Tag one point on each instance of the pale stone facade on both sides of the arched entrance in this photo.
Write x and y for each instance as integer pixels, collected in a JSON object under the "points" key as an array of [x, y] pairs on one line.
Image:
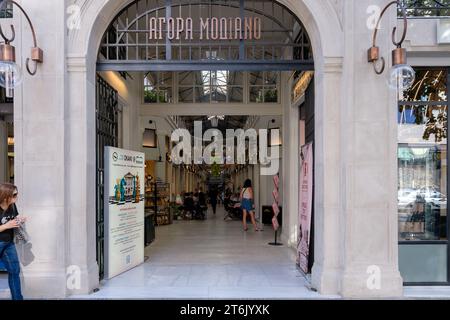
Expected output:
{"points": [[356, 143]]}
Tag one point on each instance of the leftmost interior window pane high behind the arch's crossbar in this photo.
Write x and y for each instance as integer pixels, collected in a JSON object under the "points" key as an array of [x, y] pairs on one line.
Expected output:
{"points": [[158, 87]]}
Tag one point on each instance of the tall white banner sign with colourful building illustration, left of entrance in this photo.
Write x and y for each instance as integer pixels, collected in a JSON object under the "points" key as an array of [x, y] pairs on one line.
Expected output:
{"points": [[124, 210]]}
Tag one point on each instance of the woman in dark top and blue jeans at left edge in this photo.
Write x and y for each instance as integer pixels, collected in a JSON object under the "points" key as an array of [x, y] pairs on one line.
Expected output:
{"points": [[10, 220]]}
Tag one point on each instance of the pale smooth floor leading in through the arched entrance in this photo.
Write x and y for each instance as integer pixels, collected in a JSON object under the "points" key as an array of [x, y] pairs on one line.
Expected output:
{"points": [[210, 259]]}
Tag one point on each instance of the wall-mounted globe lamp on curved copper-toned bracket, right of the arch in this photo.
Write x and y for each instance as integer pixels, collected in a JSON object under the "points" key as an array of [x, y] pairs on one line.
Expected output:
{"points": [[401, 76]]}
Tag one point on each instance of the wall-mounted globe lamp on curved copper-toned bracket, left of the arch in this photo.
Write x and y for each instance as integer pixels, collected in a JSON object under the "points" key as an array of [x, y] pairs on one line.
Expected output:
{"points": [[10, 71]]}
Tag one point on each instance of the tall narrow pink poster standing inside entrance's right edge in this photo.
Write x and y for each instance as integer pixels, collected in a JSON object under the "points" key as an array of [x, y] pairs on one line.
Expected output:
{"points": [[305, 207]]}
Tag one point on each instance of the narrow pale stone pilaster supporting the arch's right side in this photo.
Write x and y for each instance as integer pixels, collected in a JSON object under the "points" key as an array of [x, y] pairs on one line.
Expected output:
{"points": [[328, 188]]}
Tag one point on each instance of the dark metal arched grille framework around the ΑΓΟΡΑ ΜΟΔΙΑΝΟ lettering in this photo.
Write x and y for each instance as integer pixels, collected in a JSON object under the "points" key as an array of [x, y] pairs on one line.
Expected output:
{"points": [[301, 45]]}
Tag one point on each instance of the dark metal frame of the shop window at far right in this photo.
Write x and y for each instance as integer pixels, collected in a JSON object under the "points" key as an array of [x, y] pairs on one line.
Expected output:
{"points": [[434, 242]]}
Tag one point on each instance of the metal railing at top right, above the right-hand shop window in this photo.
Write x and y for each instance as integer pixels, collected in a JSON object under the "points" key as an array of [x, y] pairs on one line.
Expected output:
{"points": [[426, 8]]}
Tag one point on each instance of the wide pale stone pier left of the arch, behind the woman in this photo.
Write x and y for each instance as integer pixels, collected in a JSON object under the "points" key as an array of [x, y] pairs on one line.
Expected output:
{"points": [[41, 140]]}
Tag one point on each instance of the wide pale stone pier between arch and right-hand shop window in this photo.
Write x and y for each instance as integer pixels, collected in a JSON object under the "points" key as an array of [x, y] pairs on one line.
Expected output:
{"points": [[369, 158]]}
